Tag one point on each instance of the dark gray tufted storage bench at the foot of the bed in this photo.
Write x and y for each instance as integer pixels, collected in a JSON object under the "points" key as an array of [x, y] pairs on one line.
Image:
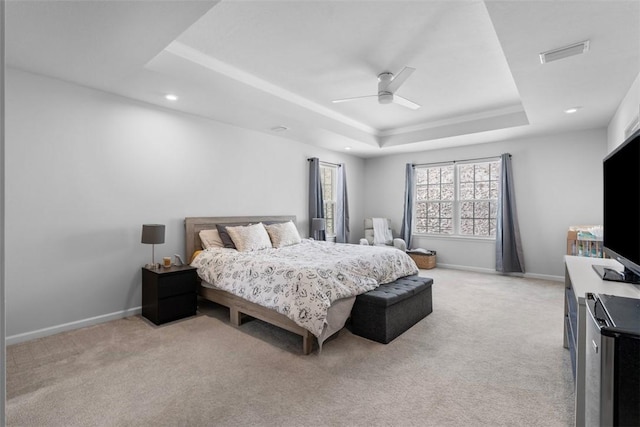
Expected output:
{"points": [[387, 311]]}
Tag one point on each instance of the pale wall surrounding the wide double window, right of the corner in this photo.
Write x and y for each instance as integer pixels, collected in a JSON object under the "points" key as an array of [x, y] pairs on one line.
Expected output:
{"points": [[558, 182]]}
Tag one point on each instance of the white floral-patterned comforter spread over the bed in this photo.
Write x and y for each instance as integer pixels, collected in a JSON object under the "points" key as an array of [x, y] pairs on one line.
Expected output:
{"points": [[301, 281]]}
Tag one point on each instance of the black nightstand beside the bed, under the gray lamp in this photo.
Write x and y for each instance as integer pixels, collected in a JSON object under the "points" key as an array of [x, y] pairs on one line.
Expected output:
{"points": [[169, 293]]}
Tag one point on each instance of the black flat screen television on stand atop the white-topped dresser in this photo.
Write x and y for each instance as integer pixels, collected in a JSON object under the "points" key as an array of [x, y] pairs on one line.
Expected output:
{"points": [[621, 238]]}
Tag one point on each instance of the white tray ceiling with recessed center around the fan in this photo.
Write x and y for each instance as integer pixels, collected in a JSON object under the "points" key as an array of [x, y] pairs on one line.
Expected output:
{"points": [[263, 64]]}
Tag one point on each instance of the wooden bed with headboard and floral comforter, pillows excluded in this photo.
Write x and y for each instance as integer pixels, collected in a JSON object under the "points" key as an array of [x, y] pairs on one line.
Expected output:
{"points": [[238, 297]]}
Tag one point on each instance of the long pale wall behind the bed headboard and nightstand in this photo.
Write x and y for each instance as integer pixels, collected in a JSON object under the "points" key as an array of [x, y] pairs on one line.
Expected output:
{"points": [[85, 169]]}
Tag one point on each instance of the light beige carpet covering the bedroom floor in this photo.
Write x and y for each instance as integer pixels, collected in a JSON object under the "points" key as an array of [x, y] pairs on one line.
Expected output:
{"points": [[490, 354]]}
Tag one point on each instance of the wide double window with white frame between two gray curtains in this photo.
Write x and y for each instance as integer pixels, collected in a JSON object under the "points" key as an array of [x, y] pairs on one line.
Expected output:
{"points": [[457, 199]]}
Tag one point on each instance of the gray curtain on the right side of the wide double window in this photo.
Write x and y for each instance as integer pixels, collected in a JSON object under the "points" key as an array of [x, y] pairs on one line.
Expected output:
{"points": [[509, 256]]}
